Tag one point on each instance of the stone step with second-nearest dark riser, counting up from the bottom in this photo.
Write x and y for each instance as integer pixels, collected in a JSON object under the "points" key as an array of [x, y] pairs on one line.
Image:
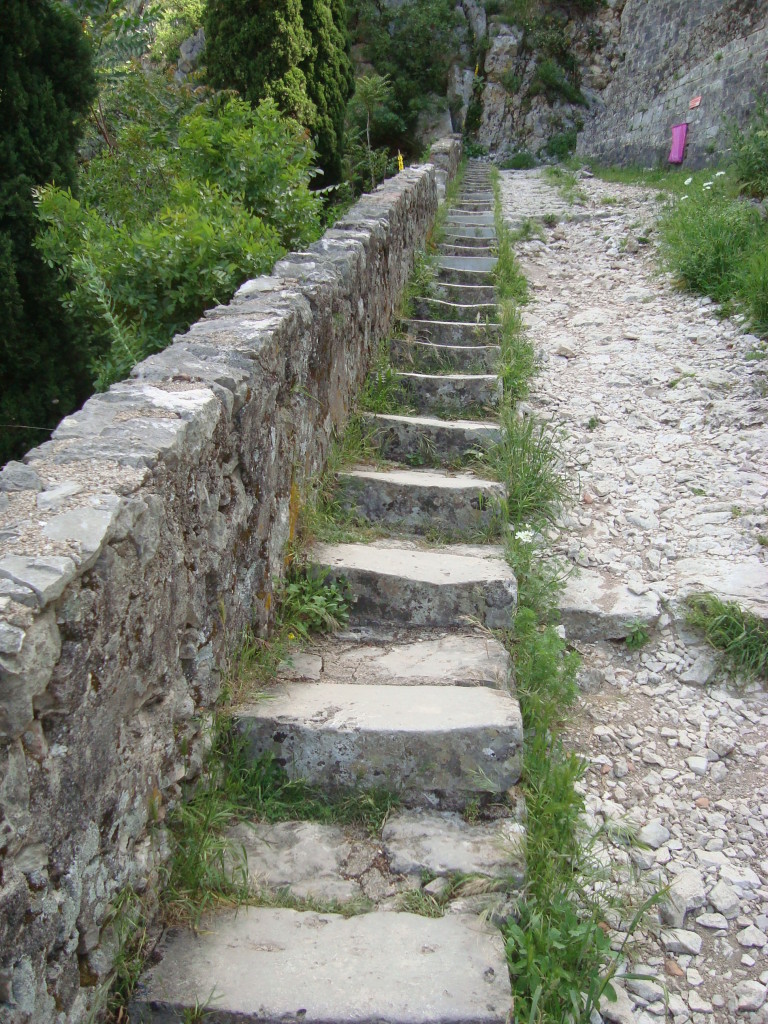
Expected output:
{"points": [[398, 583]]}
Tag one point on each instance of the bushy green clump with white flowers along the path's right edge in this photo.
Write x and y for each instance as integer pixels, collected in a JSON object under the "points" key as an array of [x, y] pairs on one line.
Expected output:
{"points": [[705, 238]]}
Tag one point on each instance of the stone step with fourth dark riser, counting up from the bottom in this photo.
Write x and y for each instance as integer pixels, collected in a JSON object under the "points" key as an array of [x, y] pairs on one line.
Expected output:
{"points": [[423, 441]]}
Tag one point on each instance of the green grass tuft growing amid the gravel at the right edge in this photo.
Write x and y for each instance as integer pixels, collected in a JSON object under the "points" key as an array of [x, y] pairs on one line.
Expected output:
{"points": [[741, 636]]}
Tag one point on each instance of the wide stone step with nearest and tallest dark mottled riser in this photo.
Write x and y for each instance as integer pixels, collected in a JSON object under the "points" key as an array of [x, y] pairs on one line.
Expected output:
{"points": [[434, 746]]}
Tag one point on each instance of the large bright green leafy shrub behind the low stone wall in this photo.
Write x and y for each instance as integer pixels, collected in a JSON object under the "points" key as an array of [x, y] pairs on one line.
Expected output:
{"points": [[175, 219]]}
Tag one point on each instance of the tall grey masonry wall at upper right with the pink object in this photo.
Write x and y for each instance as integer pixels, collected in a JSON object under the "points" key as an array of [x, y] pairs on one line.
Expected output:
{"points": [[673, 52]]}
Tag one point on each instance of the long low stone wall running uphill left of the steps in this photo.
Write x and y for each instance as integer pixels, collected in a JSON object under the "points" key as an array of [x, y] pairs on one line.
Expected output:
{"points": [[136, 546]]}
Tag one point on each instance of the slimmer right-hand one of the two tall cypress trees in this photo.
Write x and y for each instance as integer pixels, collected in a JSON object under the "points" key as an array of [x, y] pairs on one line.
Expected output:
{"points": [[330, 80]]}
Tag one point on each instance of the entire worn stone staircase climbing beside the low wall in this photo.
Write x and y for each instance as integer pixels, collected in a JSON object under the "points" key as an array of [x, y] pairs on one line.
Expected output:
{"points": [[415, 697]]}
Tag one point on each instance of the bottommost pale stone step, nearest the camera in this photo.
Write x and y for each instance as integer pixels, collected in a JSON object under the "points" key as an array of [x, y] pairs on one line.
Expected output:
{"points": [[265, 966]]}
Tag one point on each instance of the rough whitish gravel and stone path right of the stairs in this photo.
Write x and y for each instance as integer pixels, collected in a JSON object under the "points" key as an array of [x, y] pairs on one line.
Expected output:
{"points": [[667, 441]]}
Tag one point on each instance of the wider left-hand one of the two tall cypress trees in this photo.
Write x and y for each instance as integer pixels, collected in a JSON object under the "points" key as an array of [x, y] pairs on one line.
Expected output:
{"points": [[260, 48]]}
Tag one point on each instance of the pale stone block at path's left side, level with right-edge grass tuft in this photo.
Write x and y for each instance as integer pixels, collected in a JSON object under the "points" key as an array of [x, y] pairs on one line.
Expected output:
{"points": [[595, 608]]}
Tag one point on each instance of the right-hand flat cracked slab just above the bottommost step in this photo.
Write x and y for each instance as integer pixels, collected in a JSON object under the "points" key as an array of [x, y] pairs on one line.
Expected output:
{"points": [[443, 843]]}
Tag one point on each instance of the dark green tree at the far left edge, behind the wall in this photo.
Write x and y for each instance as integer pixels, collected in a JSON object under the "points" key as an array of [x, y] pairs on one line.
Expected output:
{"points": [[47, 86]]}
